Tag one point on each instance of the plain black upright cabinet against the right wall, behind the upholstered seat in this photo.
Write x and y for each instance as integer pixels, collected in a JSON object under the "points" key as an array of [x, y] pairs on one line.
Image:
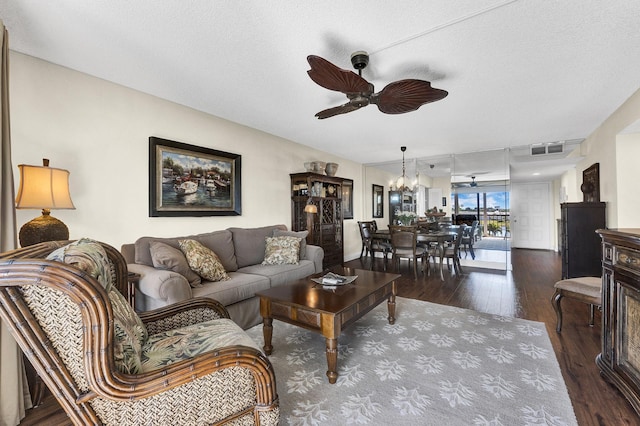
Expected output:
{"points": [[580, 245]]}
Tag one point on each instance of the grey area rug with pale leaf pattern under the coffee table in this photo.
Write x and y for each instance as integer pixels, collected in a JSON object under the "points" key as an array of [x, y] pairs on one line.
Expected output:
{"points": [[437, 365]]}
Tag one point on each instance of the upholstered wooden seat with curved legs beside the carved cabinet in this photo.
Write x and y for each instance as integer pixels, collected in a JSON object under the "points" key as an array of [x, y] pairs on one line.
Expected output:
{"points": [[583, 289]]}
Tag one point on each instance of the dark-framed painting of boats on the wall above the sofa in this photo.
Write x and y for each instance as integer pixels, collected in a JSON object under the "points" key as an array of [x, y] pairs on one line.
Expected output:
{"points": [[189, 180]]}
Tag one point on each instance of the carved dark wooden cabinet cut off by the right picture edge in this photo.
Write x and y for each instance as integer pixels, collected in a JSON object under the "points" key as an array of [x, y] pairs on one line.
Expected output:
{"points": [[619, 361]]}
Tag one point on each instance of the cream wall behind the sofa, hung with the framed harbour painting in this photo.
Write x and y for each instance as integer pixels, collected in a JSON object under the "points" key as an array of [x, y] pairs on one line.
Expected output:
{"points": [[99, 132]]}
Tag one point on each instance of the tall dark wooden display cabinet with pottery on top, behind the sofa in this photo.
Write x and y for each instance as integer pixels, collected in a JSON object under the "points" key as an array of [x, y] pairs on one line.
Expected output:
{"points": [[326, 226]]}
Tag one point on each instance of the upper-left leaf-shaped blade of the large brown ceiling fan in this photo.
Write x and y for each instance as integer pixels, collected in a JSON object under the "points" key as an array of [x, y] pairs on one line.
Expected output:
{"points": [[332, 77]]}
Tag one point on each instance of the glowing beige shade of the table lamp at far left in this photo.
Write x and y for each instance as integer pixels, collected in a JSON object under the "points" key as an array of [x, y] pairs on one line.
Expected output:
{"points": [[43, 187]]}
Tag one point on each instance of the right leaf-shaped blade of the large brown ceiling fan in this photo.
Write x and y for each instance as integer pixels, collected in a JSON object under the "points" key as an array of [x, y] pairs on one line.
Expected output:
{"points": [[406, 95]]}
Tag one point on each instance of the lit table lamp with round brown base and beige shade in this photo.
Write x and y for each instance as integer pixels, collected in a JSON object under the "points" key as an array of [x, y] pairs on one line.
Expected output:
{"points": [[43, 187]]}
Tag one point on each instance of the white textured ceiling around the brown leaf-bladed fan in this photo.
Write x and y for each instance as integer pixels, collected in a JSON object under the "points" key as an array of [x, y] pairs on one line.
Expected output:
{"points": [[517, 72]]}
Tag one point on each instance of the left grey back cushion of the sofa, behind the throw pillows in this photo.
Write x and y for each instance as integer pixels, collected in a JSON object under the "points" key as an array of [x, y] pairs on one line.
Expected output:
{"points": [[220, 242]]}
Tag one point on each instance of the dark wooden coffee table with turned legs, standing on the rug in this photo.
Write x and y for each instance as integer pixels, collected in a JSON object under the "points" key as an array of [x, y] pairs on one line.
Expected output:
{"points": [[327, 311]]}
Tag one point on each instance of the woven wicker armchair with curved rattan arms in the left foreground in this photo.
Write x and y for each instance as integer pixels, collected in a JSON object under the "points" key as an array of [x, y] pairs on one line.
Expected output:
{"points": [[63, 319]]}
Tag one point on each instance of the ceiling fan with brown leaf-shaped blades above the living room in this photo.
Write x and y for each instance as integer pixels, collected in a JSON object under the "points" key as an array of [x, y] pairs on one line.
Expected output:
{"points": [[396, 98]]}
